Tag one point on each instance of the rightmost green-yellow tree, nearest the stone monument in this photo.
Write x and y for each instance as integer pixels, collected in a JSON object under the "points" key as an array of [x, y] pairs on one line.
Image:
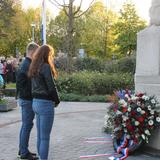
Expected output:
{"points": [[129, 23]]}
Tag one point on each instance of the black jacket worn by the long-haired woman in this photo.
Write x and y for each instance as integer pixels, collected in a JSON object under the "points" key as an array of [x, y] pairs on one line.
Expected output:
{"points": [[43, 85]]}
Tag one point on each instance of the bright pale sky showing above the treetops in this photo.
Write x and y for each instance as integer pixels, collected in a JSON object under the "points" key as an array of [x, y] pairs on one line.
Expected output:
{"points": [[141, 5]]}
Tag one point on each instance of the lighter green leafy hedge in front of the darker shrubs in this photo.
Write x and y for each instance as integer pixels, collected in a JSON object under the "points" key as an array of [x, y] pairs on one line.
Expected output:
{"points": [[94, 83]]}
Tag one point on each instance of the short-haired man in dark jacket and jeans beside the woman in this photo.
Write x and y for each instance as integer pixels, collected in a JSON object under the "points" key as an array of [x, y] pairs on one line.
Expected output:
{"points": [[23, 87]]}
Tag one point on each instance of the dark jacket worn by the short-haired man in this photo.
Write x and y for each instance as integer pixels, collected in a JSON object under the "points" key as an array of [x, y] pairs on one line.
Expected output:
{"points": [[23, 83]]}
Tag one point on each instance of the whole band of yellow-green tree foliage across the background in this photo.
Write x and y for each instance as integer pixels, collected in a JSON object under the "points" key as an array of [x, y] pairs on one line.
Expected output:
{"points": [[100, 31]]}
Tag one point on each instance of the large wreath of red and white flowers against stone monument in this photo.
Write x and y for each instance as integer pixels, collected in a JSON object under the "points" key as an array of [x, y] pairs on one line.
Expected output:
{"points": [[136, 115]]}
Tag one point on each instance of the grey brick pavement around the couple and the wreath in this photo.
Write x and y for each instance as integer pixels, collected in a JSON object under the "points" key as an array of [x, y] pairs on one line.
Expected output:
{"points": [[73, 123]]}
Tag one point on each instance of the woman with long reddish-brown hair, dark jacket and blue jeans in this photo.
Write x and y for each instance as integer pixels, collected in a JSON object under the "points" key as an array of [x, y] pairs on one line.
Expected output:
{"points": [[45, 96]]}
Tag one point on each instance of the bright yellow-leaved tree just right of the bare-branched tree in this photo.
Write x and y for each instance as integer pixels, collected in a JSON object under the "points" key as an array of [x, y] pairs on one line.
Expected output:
{"points": [[98, 36]]}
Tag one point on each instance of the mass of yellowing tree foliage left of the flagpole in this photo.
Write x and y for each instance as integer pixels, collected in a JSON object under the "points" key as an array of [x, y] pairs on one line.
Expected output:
{"points": [[16, 28]]}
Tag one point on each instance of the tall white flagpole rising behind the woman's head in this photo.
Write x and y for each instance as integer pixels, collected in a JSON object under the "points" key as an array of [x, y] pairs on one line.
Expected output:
{"points": [[44, 22]]}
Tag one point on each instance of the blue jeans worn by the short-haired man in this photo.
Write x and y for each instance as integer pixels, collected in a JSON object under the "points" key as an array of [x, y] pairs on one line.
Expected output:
{"points": [[27, 124]]}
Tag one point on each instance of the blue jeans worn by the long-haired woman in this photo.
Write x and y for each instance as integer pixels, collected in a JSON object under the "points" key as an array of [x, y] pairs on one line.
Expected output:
{"points": [[44, 111]]}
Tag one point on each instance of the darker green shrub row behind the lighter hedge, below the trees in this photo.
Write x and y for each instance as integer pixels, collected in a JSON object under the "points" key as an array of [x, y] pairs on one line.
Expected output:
{"points": [[126, 64]]}
